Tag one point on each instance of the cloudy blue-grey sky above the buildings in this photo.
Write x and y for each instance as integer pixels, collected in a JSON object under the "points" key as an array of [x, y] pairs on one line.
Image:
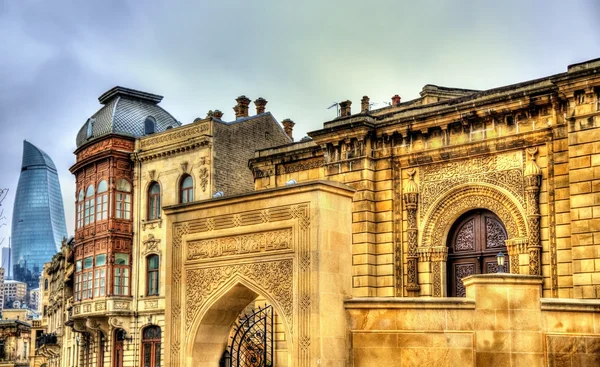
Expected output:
{"points": [[57, 57]]}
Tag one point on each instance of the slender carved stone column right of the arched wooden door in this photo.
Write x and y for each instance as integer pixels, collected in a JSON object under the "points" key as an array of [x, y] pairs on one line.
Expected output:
{"points": [[533, 180]]}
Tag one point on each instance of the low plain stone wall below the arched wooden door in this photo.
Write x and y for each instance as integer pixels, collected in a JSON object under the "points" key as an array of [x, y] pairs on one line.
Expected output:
{"points": [[502, 322]]}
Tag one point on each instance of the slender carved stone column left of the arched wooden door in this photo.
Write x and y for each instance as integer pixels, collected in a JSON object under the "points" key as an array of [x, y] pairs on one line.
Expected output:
{"points": [[411, 198]]}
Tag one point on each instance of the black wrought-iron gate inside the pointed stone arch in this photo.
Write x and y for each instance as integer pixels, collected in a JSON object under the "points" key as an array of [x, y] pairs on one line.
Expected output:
{"points": [[252, 342]]}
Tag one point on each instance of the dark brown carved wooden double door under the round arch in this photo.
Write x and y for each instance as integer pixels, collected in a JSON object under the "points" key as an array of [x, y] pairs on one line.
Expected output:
{"points": [[474, 241]]}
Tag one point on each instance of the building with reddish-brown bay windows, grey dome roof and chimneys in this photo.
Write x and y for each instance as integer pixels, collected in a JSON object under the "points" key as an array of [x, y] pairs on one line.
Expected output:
{"points": [[133, 158]]}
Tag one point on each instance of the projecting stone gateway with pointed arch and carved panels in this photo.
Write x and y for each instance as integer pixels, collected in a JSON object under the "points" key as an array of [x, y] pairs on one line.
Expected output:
{"points": [[290, 248]]}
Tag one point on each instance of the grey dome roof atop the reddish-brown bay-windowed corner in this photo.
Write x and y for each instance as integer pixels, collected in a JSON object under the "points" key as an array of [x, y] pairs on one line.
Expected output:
{"points": [[124, 112]]}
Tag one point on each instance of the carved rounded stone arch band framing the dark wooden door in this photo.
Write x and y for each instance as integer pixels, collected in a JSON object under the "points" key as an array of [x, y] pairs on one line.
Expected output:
{"points": [[466, 197]]}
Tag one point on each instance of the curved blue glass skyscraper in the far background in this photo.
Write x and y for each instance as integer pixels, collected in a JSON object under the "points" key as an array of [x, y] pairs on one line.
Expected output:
{"points": [[38, 223]]}
